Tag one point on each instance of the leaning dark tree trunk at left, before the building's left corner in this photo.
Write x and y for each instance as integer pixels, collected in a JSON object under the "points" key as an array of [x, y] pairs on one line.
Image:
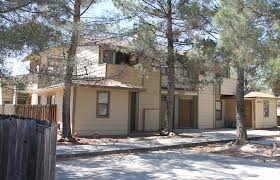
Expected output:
{"points": [[70, 61]]}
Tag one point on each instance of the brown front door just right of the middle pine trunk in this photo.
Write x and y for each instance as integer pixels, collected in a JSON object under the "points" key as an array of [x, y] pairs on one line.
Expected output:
{"points": [[184, 113]]}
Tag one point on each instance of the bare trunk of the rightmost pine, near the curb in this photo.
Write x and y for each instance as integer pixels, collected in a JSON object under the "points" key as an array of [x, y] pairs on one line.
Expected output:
{"points": [[241, 136]]}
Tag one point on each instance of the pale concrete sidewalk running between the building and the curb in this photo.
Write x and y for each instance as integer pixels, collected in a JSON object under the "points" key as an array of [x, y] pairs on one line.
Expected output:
{"points": [[185, 138]]}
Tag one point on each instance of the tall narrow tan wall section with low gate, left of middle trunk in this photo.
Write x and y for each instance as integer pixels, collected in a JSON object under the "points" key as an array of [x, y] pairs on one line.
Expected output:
{"points": [[149, 102]]}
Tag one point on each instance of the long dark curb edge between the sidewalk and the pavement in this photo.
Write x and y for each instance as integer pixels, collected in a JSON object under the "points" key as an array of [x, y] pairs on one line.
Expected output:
{"points": [[62, 157]]}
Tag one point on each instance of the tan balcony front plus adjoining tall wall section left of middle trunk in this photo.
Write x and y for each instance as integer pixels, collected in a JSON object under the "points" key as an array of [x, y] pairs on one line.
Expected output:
{"points": [[149, 99]]}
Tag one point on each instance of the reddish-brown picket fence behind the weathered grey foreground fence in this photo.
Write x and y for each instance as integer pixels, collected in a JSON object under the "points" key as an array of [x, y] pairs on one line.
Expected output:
{"points": [[41, 112]]}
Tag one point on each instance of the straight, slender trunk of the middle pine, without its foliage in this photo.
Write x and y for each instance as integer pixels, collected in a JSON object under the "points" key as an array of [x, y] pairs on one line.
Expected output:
{"points": [[170, 70]]}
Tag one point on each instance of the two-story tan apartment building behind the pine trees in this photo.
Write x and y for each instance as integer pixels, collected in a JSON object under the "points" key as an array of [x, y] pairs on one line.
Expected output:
{"points": [[112, 96]]}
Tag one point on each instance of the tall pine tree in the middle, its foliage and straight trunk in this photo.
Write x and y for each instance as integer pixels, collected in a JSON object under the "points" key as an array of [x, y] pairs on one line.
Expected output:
{"points": [[161, 29]]}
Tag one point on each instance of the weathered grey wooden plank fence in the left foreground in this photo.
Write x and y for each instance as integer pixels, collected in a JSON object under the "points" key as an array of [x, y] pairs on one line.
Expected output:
{"points": [[27, 149]]}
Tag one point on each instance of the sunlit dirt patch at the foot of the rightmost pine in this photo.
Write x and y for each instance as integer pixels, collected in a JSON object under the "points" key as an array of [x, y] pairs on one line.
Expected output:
{"points": [[265, 153]]}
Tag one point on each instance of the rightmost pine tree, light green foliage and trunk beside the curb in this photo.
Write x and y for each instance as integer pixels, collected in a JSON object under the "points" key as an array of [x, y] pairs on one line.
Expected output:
{"points": [[244, 34]]}
